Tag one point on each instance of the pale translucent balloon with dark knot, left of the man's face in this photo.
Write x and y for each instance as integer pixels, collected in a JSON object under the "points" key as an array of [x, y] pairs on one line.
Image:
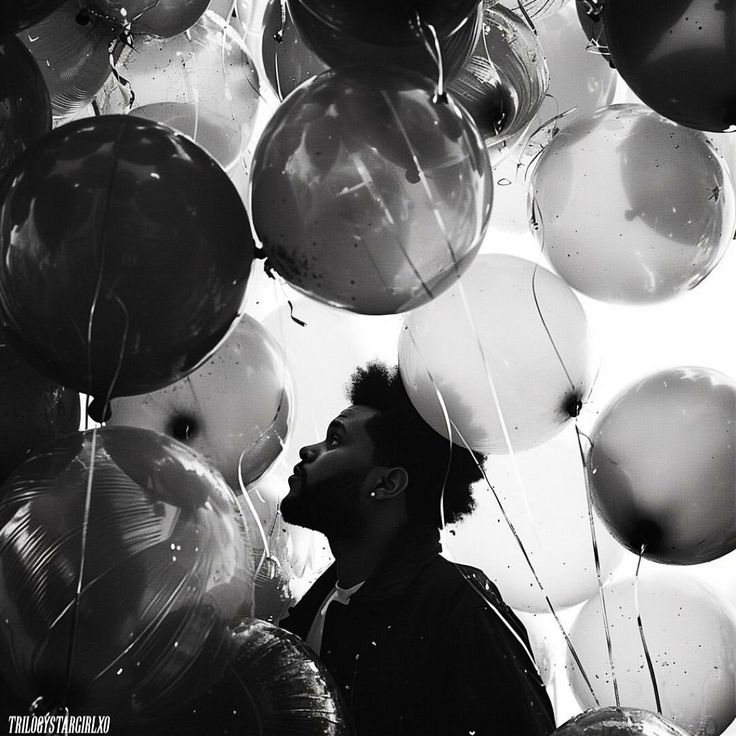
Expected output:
{"points": [[234, 410]]}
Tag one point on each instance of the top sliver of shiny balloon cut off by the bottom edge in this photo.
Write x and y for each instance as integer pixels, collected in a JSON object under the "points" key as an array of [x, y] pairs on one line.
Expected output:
{"points": [[613, 721]]}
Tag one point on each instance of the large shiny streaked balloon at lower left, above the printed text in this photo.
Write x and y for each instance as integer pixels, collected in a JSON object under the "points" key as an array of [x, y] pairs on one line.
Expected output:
{"points": [[165, 565]]}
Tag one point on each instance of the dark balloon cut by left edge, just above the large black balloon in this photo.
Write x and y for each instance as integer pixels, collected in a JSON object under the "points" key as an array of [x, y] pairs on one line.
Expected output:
{"points": [[25, 110]]}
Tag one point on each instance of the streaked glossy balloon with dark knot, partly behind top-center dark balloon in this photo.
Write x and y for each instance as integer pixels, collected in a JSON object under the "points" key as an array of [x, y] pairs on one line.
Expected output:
{"points": [[505, 80]]}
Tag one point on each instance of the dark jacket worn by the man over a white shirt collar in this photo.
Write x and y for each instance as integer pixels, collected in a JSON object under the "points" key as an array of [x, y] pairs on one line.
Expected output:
{"points": [[419, 649]]}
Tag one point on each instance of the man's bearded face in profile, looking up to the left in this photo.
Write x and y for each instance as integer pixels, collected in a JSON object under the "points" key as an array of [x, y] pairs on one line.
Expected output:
{"points": [[324, 491]]}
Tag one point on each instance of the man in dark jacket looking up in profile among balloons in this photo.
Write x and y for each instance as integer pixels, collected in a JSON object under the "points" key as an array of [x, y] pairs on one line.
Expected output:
{"points": [[417, 645]]}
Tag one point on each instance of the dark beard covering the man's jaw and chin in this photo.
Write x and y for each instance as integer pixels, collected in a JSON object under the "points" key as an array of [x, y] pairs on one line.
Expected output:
{"points": [[330, 510]]}
